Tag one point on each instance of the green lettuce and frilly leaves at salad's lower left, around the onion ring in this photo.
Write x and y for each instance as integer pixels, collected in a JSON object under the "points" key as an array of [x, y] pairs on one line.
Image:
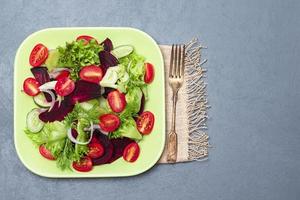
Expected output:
{"points": [[54, 136]]}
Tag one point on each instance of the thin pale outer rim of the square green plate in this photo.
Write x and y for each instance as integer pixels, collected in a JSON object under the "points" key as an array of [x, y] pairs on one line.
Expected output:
{"points": [[87, 175]]}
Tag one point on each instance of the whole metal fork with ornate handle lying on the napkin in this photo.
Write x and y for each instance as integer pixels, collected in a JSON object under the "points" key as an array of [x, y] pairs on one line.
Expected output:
{"points": [[176, 75]]}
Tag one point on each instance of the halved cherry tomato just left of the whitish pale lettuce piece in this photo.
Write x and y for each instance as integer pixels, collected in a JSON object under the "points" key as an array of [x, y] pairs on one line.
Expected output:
{"points": [[92, 73]]}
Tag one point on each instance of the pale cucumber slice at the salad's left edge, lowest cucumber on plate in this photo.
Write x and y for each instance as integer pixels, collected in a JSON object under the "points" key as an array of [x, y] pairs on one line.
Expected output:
{"points": [[33, 122]]}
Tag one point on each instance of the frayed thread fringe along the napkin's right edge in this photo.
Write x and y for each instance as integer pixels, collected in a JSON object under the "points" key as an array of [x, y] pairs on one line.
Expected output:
{"points": [[197, 103]]}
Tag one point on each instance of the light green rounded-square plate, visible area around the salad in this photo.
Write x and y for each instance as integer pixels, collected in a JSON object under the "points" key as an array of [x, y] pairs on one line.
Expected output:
{"points": [[151, 146]]}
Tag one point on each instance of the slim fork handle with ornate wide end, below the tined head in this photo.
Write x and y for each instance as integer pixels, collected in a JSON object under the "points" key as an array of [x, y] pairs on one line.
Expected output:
{"points": [[172, 136]]}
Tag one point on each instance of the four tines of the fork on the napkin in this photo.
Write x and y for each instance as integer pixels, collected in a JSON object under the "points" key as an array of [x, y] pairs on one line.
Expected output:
{"points": [[177, 61]]}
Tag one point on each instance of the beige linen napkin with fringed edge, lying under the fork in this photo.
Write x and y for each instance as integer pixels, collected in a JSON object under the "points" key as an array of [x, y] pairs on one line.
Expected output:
{"points": [[192, 106]]}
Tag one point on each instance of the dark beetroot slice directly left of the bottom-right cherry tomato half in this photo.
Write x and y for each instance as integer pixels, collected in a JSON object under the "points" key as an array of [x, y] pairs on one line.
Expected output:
{"points": [[119, 146]]}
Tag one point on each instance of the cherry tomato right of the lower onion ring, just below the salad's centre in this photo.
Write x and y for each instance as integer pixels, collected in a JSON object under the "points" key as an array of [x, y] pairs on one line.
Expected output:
{"points": [[109, 122]]}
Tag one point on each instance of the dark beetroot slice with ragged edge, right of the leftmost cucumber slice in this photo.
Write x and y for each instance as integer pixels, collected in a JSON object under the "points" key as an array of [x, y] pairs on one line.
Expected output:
{"points": [[57, 113]]}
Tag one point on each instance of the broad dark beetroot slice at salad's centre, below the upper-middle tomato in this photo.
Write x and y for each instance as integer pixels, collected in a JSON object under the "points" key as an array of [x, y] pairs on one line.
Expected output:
{"points": [[84, 91]]}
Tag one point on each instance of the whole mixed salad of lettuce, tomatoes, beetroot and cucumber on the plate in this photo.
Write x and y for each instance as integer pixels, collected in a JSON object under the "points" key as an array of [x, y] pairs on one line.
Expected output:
{"points": [[90, 99]]}
